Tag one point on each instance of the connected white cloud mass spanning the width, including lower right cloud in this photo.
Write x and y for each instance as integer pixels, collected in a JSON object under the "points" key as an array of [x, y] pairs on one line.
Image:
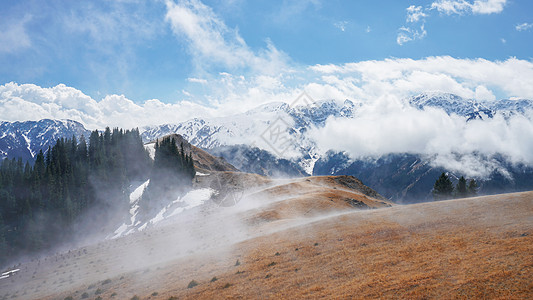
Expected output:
{"points": [[383, 123]]}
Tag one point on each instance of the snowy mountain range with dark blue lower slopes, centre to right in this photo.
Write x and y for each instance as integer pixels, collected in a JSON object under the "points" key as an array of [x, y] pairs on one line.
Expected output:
{"points": [[242, 140]]}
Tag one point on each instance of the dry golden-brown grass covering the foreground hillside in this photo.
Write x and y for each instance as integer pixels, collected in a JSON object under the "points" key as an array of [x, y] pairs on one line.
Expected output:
{"points": [[460, 249]]}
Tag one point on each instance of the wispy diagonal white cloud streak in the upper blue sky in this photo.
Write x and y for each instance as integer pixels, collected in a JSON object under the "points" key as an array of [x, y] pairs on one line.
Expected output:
{"points": [[213, 44]]}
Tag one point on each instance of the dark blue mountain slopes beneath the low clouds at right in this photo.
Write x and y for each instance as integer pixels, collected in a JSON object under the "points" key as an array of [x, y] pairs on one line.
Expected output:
{"points": [[408, 178]]}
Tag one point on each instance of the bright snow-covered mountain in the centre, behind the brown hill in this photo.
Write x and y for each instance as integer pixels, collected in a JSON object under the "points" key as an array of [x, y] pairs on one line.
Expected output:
{"points": [[252, 127]]}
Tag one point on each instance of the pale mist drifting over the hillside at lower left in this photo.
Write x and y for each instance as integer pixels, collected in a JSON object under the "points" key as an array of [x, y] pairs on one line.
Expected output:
{"points": [[240, 207]]}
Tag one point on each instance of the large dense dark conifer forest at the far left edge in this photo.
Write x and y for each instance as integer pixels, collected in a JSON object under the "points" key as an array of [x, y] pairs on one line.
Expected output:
{"points": [[41, 204]]}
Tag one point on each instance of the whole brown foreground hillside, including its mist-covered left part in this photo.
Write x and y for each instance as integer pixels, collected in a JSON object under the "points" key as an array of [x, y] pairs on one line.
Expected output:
{"points": [[468, 248]]}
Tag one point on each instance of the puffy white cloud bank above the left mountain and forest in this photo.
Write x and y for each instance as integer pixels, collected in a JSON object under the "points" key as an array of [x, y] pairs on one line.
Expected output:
{"points": [[31, 102]]}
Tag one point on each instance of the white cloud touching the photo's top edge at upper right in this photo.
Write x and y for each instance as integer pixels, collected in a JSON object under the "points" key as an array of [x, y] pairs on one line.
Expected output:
{"points": [[462, 7]]}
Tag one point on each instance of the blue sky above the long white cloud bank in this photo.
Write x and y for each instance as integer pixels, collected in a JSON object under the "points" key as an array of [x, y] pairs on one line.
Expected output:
{"points": [[133, 48]]}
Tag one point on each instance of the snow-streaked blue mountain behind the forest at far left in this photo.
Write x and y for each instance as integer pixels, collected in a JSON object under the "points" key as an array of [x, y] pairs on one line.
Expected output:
{"points": [[25, 139]]}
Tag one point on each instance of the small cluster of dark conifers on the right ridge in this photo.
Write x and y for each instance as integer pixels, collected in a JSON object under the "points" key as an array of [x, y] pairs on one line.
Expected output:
{"points": [[444, 188]]}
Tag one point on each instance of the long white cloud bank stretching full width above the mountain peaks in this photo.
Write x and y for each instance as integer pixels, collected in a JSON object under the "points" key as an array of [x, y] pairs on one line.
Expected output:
{"points": [[228, 94]]}
